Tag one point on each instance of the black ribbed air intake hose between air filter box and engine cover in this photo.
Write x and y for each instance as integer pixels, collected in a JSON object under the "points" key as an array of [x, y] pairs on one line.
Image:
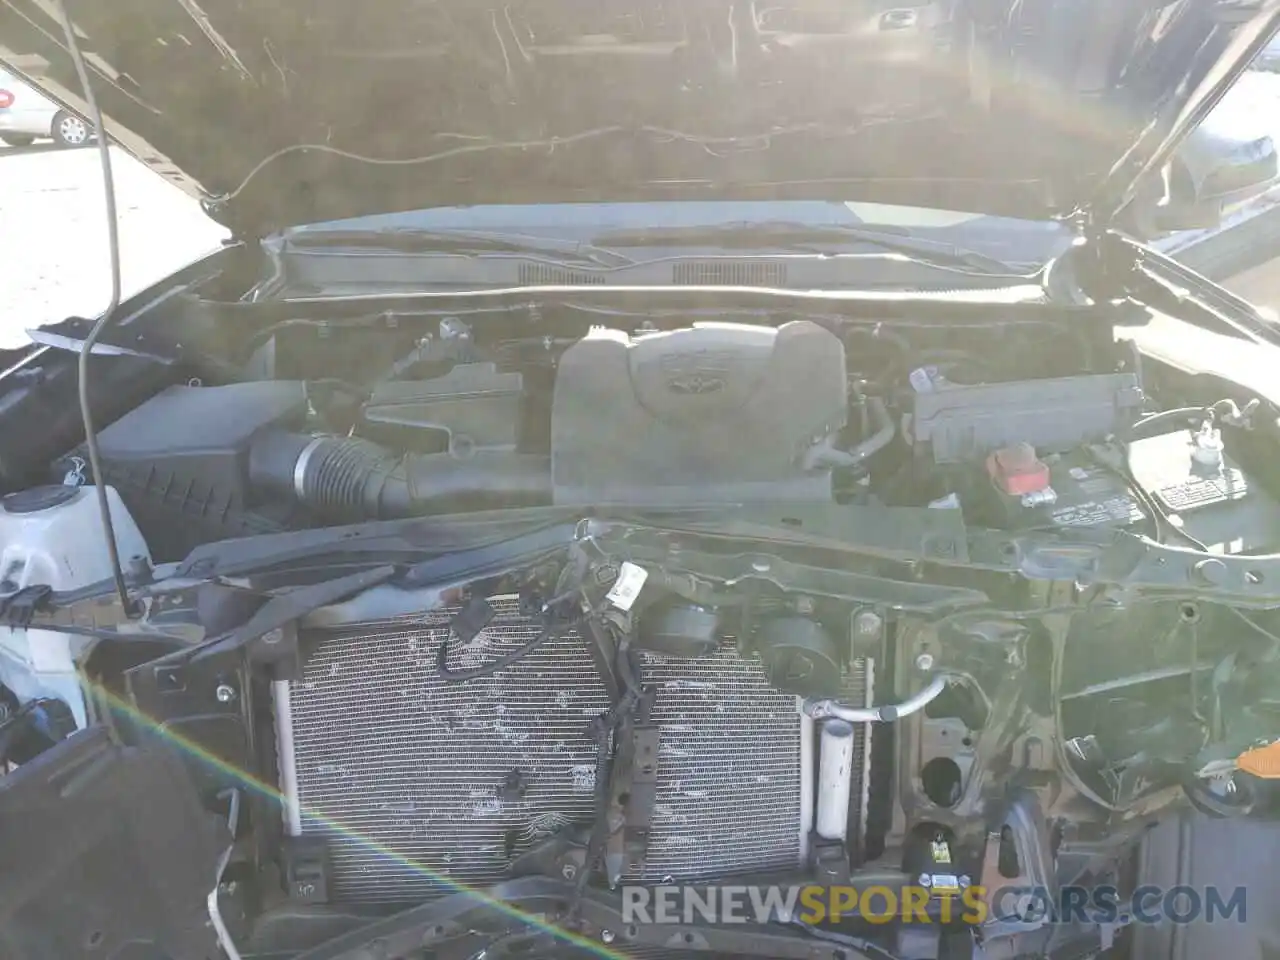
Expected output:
{"points": [[346, 479]]}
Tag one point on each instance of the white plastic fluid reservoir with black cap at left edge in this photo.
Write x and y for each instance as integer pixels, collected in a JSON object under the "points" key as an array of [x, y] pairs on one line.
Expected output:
{"points": [[53, 536]]}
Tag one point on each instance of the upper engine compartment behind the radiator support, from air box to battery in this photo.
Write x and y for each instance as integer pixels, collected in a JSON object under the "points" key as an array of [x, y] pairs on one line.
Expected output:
{"points": [[1028, 426]]}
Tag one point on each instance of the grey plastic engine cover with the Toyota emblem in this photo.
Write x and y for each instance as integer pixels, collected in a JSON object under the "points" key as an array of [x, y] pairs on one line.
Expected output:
{"points": [[710, 414]]}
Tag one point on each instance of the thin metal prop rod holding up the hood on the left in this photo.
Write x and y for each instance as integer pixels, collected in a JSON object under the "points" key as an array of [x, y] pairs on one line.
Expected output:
{"points": [[113, 236]]}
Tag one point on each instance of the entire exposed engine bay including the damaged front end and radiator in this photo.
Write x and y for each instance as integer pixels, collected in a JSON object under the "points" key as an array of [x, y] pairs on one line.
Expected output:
{"points": [[694, 598]]}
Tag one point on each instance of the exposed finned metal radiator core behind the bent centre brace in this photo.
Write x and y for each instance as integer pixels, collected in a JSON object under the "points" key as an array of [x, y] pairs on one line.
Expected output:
{"points": [[404, 775]]}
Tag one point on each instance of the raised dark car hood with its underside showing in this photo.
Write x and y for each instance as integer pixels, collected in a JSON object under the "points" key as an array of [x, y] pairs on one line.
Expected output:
{"points": [[285, 113]]}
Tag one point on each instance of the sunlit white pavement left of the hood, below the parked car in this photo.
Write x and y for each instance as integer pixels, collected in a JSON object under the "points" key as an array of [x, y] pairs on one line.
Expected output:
{"points": [[53, 235]]}
